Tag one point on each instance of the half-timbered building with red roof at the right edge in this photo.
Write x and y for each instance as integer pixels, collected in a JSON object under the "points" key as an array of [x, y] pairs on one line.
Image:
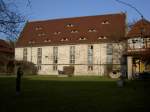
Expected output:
{"points": [[138, 51]]}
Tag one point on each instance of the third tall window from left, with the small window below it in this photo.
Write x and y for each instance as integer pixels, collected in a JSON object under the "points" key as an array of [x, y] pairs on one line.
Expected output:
{"points": [[55, 58]]}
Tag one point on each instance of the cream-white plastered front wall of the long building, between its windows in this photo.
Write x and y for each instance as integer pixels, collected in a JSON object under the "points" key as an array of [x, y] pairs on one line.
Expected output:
{"points": [[100, 58]]}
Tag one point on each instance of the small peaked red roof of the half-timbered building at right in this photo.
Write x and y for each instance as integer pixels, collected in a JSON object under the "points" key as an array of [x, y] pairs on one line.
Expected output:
{"points": [[140, 27]]}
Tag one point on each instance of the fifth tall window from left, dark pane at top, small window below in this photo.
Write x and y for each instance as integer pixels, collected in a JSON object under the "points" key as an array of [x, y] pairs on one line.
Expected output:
{"points": [[90, 57]]}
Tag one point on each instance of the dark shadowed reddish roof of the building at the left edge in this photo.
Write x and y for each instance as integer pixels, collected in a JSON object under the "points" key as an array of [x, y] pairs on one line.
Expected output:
{"points": [[5, 47]]}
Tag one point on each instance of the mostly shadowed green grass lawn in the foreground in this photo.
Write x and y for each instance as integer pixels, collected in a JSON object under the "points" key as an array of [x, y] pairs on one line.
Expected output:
{"points": [[73, 94]]}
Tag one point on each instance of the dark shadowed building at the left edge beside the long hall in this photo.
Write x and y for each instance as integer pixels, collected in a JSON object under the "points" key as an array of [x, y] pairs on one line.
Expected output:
{"points": [[6, 57]]}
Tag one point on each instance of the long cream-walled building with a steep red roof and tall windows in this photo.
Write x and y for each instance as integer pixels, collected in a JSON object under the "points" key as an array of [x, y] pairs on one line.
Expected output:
{"points": [[91, 44]]}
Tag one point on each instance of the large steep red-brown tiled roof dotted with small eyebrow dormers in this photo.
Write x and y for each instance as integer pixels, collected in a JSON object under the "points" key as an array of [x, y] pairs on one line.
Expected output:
{"points": [[89, 29]]}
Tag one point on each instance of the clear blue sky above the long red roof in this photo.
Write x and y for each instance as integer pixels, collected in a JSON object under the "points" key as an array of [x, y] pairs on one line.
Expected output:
{"points": [[52, 9]]}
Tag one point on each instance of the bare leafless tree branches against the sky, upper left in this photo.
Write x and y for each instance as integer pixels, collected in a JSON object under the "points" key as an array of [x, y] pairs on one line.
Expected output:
{"points": [[10, 20]]}
